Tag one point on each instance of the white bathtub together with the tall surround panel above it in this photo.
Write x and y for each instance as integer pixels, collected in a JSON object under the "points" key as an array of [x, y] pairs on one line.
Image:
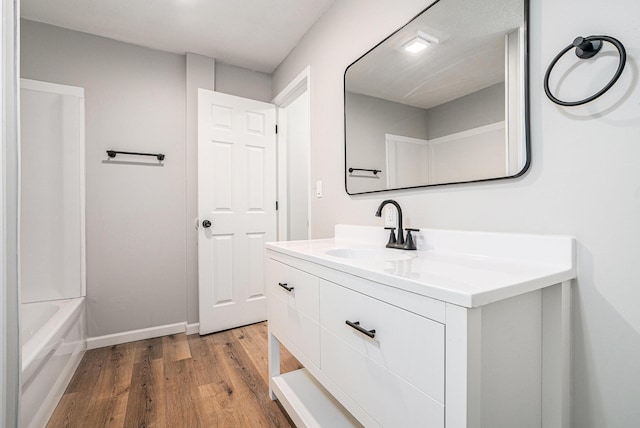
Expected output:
{"points": [[52, 244]]}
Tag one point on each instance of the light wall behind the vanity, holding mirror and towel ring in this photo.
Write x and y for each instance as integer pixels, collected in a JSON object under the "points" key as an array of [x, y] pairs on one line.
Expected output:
{"points": [[583, 181]]}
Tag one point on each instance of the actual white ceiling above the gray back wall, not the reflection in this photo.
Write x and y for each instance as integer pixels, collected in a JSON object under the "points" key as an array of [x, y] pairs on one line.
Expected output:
{"points": [[255, 34]]}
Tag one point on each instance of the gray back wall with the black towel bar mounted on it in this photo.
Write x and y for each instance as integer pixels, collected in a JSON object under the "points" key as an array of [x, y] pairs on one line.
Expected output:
{"points": [[141, 270]]}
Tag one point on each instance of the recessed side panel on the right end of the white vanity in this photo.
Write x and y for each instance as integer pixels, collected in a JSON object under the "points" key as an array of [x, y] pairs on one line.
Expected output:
{"points": [[511, 355]]}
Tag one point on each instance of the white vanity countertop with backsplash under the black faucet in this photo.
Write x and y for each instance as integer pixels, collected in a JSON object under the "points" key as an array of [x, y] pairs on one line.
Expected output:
{"points": [[469, 269]]}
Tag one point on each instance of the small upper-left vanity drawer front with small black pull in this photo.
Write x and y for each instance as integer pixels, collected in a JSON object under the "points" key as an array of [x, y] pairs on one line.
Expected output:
{"points": [[301, 292]]}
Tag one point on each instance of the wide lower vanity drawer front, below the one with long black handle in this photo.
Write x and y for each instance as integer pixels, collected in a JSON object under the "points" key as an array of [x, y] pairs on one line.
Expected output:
{"points": [[389, 399]]}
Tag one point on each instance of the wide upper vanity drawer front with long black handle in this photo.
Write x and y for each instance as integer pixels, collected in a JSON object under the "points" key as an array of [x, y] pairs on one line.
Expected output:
{"points": [[406, 344]]}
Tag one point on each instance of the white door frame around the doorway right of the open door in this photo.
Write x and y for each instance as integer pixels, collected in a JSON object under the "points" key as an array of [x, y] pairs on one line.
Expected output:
{"points": [[300, 85]]}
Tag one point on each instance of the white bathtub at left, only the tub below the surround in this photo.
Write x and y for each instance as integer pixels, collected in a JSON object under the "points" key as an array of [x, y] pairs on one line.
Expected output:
{"points": [[53, 342]]}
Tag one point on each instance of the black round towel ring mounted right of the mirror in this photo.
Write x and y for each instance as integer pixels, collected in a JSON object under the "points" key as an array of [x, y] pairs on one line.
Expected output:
{"points": [[587, 47]]}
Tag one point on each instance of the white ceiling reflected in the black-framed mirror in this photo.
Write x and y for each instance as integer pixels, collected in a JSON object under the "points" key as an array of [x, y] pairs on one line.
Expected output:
{"points": [[469, 56]]}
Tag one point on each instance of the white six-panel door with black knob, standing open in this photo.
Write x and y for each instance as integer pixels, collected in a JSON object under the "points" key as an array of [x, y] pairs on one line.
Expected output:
{"points": [[236, 206]]}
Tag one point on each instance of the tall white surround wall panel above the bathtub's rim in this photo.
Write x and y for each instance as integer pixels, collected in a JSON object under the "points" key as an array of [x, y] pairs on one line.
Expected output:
{"points": [[52, 243]]}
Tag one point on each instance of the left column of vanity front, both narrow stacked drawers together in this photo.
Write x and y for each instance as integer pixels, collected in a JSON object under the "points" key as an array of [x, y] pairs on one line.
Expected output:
{"points": [[293, 315]]}
